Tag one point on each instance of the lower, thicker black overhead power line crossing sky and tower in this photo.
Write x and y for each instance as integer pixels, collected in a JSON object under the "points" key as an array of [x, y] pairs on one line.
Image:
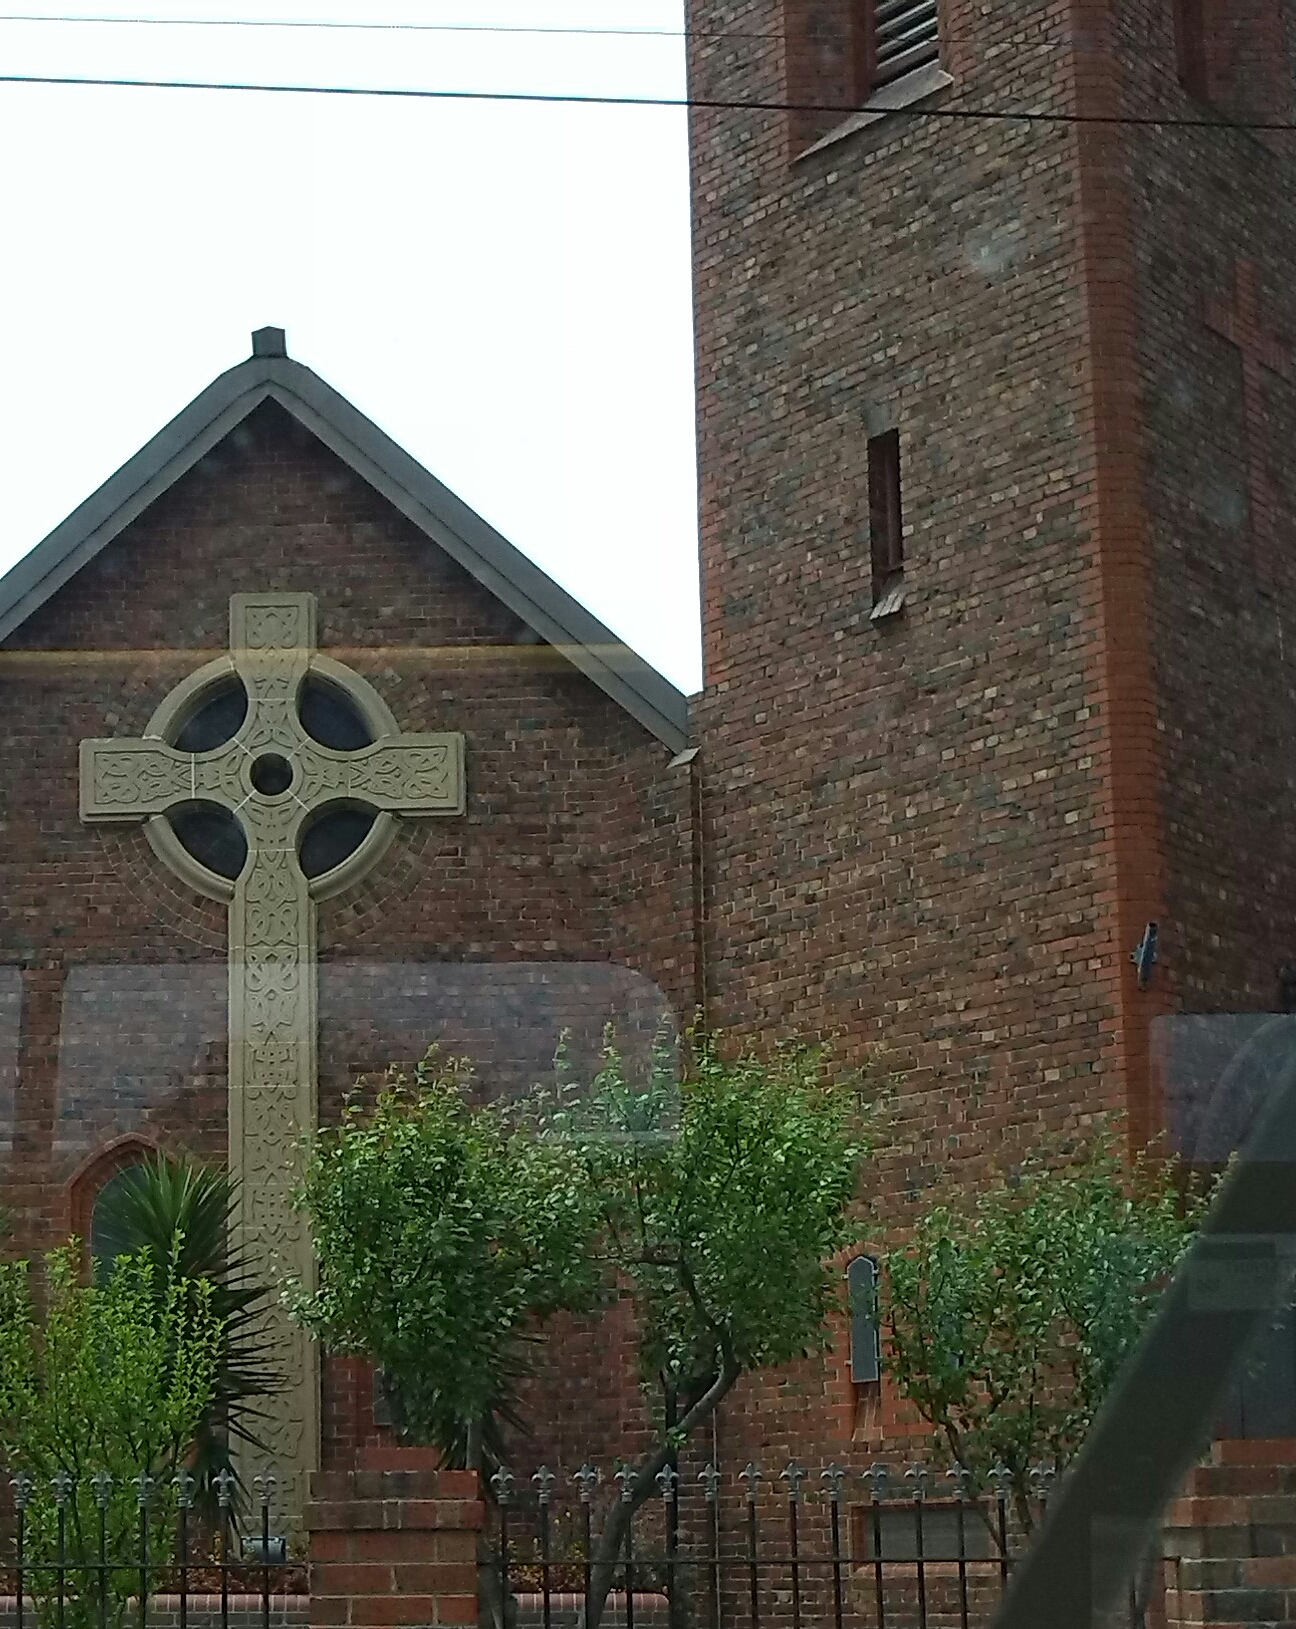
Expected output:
{"points": [[698, 103]]}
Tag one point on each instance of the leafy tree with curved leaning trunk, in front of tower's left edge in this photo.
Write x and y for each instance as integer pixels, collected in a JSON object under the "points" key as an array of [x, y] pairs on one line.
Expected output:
{"points": [[724, 1197]]}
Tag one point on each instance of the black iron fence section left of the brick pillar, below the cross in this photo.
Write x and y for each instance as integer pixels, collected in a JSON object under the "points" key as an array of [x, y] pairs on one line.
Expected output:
{"points": [[147, 1553]]}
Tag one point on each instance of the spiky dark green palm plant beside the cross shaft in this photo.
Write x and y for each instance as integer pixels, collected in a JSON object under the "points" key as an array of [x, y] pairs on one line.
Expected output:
{"points": [[183, 1206]]}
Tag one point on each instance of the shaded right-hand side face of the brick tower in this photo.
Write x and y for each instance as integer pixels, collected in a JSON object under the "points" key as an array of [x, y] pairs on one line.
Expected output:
{"points": [[1219, 503]]}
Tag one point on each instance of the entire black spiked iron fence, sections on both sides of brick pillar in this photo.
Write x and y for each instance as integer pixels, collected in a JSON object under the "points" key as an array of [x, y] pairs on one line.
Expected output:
{"points": [[707, 1550]]}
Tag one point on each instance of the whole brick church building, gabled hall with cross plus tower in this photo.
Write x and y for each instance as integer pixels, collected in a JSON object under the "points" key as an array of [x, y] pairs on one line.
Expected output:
{"points": [[997, 390]]}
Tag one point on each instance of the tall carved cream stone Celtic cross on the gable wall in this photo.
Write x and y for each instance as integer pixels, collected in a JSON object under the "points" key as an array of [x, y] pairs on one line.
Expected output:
{"points": [[273, 778]]}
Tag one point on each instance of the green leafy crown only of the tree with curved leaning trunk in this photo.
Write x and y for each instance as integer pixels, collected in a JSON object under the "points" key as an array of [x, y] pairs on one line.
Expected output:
{"points": [[725, 1229]]}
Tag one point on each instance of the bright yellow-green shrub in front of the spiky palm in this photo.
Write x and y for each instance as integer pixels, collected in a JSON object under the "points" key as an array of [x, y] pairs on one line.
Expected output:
{"points": [[112, 1382]]}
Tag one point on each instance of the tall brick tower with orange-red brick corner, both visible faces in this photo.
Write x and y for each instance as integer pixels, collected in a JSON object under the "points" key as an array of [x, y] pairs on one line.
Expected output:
{"points": [[994, 398]]}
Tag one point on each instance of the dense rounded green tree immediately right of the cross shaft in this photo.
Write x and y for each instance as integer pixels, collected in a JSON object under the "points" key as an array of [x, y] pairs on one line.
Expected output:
{"points": [[444, 1234]]}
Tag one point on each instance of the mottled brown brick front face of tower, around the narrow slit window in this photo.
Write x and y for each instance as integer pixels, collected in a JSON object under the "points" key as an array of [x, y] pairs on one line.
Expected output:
{"points": [[908, 820]]}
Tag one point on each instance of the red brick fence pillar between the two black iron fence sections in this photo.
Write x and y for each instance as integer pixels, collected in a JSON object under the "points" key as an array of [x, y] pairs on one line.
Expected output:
{"points": [[393, 1548]]}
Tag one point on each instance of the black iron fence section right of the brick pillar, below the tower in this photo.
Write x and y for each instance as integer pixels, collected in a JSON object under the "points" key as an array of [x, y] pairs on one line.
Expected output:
{"points": [[878, 1550]]}
